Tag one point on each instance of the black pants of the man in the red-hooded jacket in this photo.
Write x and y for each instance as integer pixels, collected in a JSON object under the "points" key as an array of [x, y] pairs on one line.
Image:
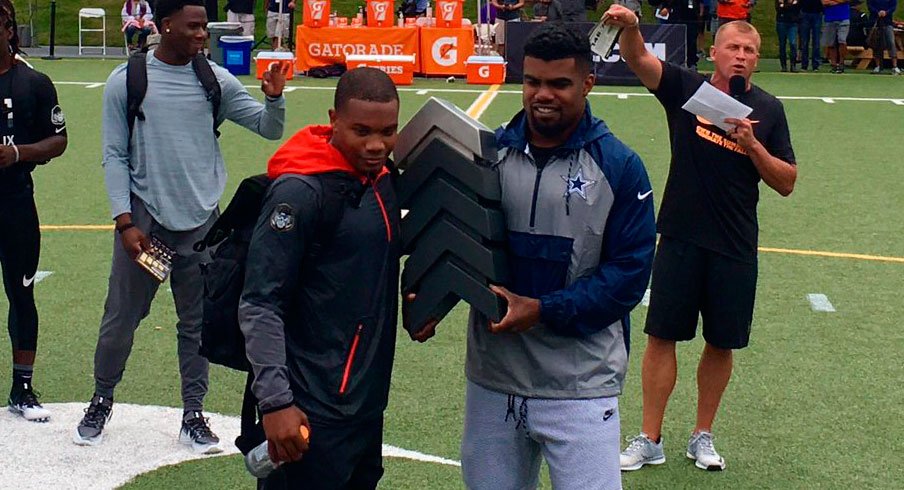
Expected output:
{"points": [[339, 458]]}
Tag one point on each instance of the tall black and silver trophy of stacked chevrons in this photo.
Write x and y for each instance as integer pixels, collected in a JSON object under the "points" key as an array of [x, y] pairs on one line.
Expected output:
{"points": [[454, 232]]}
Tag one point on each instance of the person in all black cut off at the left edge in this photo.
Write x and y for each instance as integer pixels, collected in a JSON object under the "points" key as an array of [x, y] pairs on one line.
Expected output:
{"points": [[33, 130]]}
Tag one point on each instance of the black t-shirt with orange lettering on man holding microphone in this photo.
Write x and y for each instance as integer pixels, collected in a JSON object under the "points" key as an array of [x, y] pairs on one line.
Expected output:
{"points": [[712, 191]]}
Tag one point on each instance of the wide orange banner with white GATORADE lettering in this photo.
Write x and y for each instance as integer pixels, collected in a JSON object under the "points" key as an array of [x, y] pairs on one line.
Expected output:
{"points": [[324, 46]]}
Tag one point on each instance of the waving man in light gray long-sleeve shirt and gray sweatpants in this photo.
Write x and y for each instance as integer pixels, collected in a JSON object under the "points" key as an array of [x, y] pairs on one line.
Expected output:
{"points": [[167, 180]]}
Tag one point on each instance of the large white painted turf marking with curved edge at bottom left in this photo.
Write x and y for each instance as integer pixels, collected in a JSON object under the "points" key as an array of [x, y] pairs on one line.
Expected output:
{"points": [[137, 439]]}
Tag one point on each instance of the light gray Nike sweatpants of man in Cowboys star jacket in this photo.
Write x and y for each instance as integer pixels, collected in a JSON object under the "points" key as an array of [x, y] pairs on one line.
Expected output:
{"points": [[505, 436]]}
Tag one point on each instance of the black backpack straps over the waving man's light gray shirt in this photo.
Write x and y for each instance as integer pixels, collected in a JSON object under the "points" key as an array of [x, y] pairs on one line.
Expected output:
{"points": [[137, 87]]}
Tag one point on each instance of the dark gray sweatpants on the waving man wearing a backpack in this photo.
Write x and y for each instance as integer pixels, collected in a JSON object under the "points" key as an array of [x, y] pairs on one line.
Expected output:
{"points": [[129, 295]]}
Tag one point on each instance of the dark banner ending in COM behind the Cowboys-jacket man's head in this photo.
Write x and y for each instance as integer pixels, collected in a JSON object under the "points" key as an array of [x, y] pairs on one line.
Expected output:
{"points": [[666, 41]]}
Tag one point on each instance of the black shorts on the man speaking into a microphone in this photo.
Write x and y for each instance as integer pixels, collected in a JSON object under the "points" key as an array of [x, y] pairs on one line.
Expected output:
{"points": [[689, 281]]}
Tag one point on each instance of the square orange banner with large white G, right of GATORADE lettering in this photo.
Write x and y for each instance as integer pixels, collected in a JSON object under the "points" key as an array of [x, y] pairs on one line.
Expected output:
{"points": [[445, 50]]}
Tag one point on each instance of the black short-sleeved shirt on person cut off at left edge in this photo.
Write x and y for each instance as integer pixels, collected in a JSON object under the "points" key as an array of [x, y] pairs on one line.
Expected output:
{"points": [[29, 113]]}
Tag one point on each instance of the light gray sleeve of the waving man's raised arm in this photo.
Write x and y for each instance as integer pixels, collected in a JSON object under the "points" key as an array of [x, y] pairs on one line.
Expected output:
{"points": [[240, 107]]}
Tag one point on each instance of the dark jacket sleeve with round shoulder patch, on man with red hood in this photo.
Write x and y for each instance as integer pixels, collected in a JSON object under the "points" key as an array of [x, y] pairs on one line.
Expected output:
{"points": [[271, 284]]}
